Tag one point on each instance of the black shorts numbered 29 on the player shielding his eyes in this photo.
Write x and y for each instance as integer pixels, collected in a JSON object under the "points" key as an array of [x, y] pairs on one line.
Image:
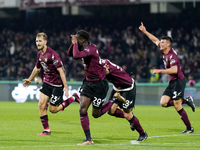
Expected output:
{"points": [[97, 91]]}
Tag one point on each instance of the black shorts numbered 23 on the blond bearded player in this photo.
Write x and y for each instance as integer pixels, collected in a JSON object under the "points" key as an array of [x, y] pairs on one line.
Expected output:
{"points": [[55, 93]]}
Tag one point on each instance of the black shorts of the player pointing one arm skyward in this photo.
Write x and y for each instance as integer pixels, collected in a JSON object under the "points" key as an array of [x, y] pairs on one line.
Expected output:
{"points": [[175, 89]]}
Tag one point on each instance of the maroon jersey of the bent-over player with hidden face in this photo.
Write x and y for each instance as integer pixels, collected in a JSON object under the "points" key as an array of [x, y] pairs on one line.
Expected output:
{"points": [[117, 76]]}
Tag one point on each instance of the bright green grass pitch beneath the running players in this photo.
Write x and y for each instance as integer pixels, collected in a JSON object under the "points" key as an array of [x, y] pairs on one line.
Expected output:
{"points": [[20, 124]]}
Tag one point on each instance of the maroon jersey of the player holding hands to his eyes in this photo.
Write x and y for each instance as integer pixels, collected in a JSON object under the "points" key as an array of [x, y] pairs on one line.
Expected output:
{"points": [[93, 69]]}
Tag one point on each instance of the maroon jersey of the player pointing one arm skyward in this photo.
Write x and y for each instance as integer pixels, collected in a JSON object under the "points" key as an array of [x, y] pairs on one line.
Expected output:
{"points": [[171, 59]]}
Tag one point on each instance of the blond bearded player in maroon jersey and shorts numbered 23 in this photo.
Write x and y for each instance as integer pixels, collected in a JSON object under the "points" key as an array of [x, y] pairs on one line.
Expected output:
{"points": [[54, 81]]}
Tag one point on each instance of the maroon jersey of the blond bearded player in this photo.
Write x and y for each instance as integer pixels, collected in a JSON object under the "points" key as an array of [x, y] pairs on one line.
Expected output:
{"points": [[49, 62]]}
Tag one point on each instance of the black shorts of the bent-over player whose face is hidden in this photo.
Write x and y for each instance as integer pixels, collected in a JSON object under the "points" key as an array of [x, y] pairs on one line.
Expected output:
{"points": [[130, 98]]}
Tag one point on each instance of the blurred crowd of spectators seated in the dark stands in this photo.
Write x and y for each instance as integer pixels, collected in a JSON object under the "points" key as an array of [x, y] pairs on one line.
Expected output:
{"points": [[124, 45]]}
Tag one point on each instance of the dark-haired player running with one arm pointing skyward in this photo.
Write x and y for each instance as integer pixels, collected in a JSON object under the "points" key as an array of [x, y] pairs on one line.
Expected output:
{"points": [[174, 93]]}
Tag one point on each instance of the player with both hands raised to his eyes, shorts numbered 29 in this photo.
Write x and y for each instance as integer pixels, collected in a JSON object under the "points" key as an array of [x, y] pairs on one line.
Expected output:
{"points": [[95, 86]]}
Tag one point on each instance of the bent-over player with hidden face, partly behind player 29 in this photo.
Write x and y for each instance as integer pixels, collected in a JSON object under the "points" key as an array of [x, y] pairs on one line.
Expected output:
{"points": [[124, 87]]}
